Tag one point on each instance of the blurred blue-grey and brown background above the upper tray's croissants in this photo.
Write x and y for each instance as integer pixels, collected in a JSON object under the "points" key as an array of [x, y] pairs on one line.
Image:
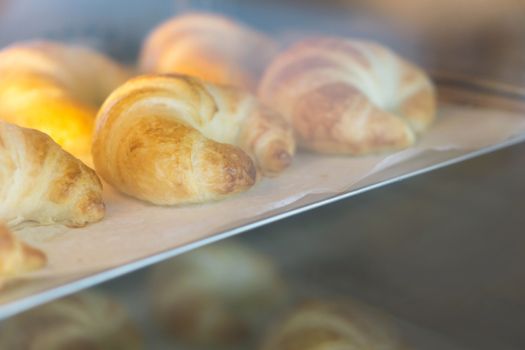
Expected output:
{"points": [[475, 37]]}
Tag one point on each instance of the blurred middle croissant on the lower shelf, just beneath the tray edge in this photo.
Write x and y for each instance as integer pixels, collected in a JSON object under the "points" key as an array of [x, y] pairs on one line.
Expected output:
{"points": [[217, 296]]}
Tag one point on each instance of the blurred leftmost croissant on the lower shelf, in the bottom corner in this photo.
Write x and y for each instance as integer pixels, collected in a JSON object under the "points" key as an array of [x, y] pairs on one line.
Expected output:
{"points": [[88, 321]]}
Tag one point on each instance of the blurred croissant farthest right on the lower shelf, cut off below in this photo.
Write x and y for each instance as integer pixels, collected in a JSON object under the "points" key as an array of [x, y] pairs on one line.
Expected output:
{"points": [[346, 325]]}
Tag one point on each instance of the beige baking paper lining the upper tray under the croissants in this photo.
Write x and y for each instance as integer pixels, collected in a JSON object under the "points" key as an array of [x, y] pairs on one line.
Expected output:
{"points": [[134, 230]]}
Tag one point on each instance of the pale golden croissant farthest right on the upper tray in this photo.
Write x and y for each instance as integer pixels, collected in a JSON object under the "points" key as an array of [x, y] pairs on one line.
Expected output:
{"points": [[349, 96]]}
